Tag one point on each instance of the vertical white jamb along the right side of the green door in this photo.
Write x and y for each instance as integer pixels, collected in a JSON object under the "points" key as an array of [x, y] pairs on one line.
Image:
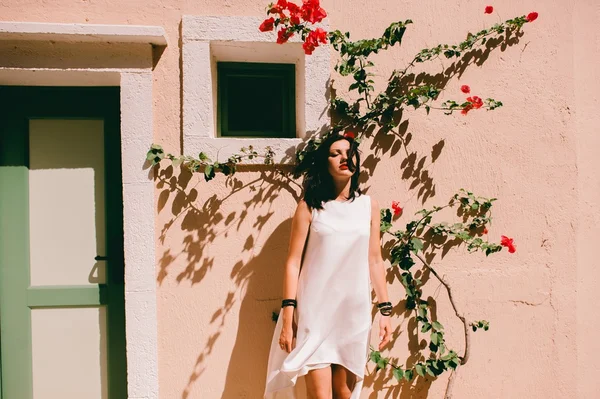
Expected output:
{"points": [[141, 322]]}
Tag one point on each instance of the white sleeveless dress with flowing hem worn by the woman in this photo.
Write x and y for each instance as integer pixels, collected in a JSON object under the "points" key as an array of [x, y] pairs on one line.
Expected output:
{"points": [[334, 300]]}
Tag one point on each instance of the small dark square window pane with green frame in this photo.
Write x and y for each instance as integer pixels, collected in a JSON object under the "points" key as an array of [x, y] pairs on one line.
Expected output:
{"points": [[256, 100]]}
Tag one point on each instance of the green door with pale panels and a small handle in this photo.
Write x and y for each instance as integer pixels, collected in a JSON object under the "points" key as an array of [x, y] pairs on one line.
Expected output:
{"points": [[62, 319]]}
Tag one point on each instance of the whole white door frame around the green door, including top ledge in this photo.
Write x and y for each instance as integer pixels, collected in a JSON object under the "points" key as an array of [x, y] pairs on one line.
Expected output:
{"points": [[136, 137]]}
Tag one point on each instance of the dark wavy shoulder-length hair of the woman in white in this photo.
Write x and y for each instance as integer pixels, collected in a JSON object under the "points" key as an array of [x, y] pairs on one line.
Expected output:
{"points": [[318, 183]]}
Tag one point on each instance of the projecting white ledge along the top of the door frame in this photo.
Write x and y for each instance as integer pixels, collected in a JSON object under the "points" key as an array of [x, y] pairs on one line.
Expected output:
{"points": [[83, 32]]}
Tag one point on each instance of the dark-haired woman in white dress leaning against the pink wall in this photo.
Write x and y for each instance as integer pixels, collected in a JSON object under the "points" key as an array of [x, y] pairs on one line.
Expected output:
{"points": [[327, 338]]}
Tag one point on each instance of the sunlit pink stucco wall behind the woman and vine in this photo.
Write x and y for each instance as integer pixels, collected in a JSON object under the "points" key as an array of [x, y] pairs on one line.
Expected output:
{"points": [[221, 245]]}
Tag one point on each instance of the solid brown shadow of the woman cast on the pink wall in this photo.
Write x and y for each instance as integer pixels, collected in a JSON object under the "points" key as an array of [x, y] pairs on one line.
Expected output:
{"points": [[263, 277]]}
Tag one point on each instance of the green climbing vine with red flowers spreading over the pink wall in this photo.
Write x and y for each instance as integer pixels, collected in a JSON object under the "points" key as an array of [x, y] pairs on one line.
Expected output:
{"points": [[378, 110]]}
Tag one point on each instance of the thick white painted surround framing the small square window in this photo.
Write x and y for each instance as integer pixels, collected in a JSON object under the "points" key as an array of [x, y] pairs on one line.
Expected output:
{"points": [[208, 39]]}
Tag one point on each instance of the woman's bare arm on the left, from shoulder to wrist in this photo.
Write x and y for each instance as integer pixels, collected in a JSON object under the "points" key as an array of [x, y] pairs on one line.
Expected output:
{"points": [[300, 224]]}
